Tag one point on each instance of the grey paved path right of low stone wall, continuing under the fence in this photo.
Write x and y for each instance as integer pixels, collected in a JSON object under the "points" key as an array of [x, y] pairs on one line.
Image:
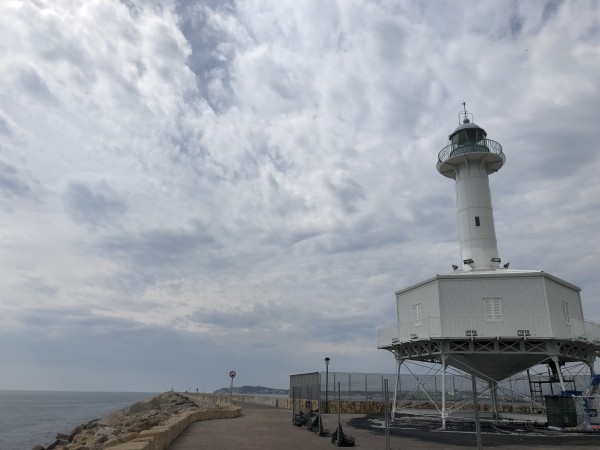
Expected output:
{"points": [[268, 428]]}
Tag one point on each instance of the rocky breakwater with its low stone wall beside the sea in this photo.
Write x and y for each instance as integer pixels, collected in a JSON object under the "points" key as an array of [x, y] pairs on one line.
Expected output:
{"points": [[153, 424]]}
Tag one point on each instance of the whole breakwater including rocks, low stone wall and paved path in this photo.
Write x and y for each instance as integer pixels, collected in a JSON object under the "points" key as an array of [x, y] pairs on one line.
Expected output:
{"points": [[265, 422]]}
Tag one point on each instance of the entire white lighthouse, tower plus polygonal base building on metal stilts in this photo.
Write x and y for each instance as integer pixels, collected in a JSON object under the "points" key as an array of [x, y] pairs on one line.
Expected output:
{"points": [[483, 318]]}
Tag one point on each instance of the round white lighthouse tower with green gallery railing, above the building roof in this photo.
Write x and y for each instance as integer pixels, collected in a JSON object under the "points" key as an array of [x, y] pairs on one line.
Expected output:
{"points": [[469, 158]]}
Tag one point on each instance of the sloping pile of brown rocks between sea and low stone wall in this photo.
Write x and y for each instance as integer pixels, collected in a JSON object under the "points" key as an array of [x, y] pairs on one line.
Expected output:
{"points": [[124, 425]]}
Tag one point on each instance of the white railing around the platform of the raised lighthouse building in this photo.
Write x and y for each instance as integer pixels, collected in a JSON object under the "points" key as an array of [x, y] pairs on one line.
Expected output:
{"points": [[546, 327]]}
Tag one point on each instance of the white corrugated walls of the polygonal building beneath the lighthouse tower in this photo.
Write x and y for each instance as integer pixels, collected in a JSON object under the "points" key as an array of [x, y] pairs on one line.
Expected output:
{"points": [[453, 306]]}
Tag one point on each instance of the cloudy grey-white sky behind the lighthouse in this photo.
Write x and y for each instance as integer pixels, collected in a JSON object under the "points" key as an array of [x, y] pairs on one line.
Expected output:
{"points": [[193, 187]]}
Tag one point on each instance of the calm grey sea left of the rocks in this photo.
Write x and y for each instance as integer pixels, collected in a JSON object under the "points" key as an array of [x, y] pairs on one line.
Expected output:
{"points": [[28, 418]]}
